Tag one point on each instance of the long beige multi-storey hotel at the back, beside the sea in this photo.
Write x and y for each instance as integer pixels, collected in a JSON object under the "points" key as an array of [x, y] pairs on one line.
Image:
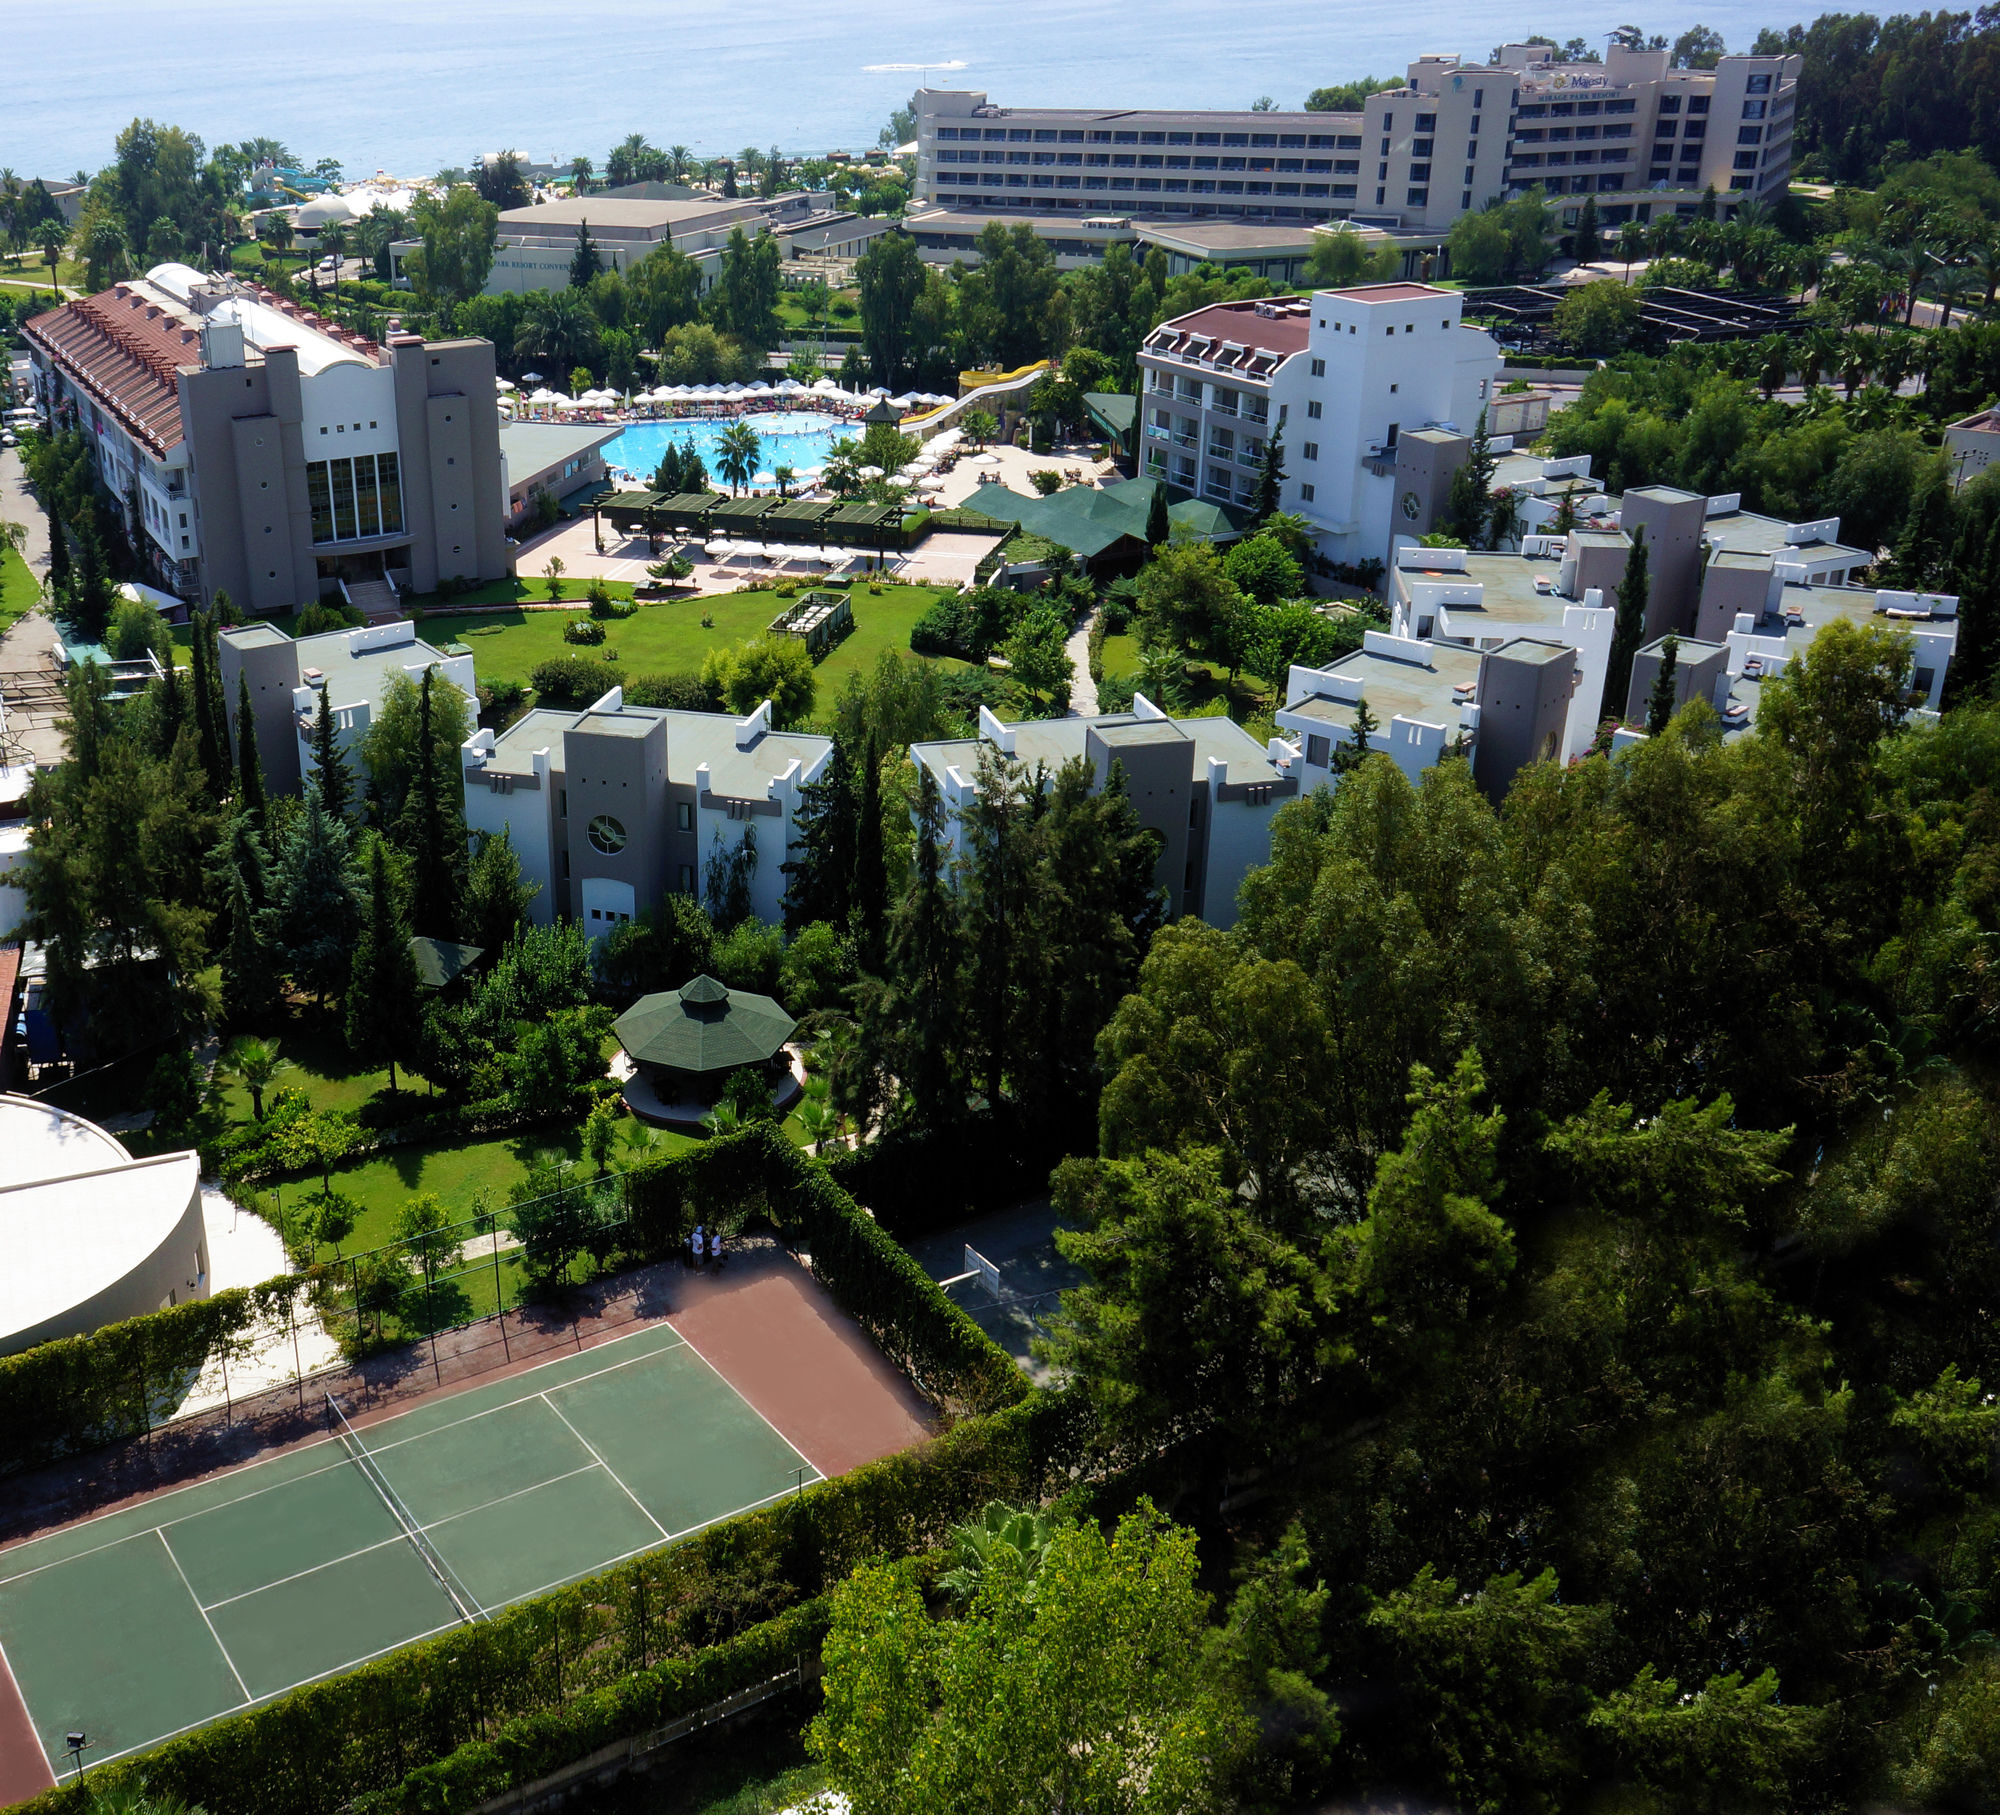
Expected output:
{"points": [[1639, 135]]}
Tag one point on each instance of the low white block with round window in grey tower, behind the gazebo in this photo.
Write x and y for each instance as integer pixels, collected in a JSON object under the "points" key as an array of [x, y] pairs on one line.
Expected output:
{"points": [[617, 807]]}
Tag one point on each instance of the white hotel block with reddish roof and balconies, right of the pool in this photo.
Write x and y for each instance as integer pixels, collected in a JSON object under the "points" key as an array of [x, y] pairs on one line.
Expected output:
{"points": [[1379, 391]]}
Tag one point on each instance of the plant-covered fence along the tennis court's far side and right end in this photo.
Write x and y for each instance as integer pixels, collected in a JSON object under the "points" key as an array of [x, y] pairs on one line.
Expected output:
{"points": [[125, 1380]]}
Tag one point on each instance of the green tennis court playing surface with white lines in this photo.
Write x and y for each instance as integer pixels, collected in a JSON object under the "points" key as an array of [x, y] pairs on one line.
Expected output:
{"points": [[199, 1602]]}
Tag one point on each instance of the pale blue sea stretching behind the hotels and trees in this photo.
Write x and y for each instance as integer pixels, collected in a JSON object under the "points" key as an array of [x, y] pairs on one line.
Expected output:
{"points": [[415, 87]]}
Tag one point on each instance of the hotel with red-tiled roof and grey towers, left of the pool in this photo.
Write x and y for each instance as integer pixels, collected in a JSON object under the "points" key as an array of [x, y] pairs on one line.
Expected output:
{"points": [[267, 453]]}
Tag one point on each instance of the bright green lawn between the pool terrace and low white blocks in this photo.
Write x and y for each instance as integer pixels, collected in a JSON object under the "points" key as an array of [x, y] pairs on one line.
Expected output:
{"points": [[671, 639]]}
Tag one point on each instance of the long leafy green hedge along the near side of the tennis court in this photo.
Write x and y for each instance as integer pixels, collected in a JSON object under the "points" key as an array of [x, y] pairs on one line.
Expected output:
{"points": [[453, 1720]]}
